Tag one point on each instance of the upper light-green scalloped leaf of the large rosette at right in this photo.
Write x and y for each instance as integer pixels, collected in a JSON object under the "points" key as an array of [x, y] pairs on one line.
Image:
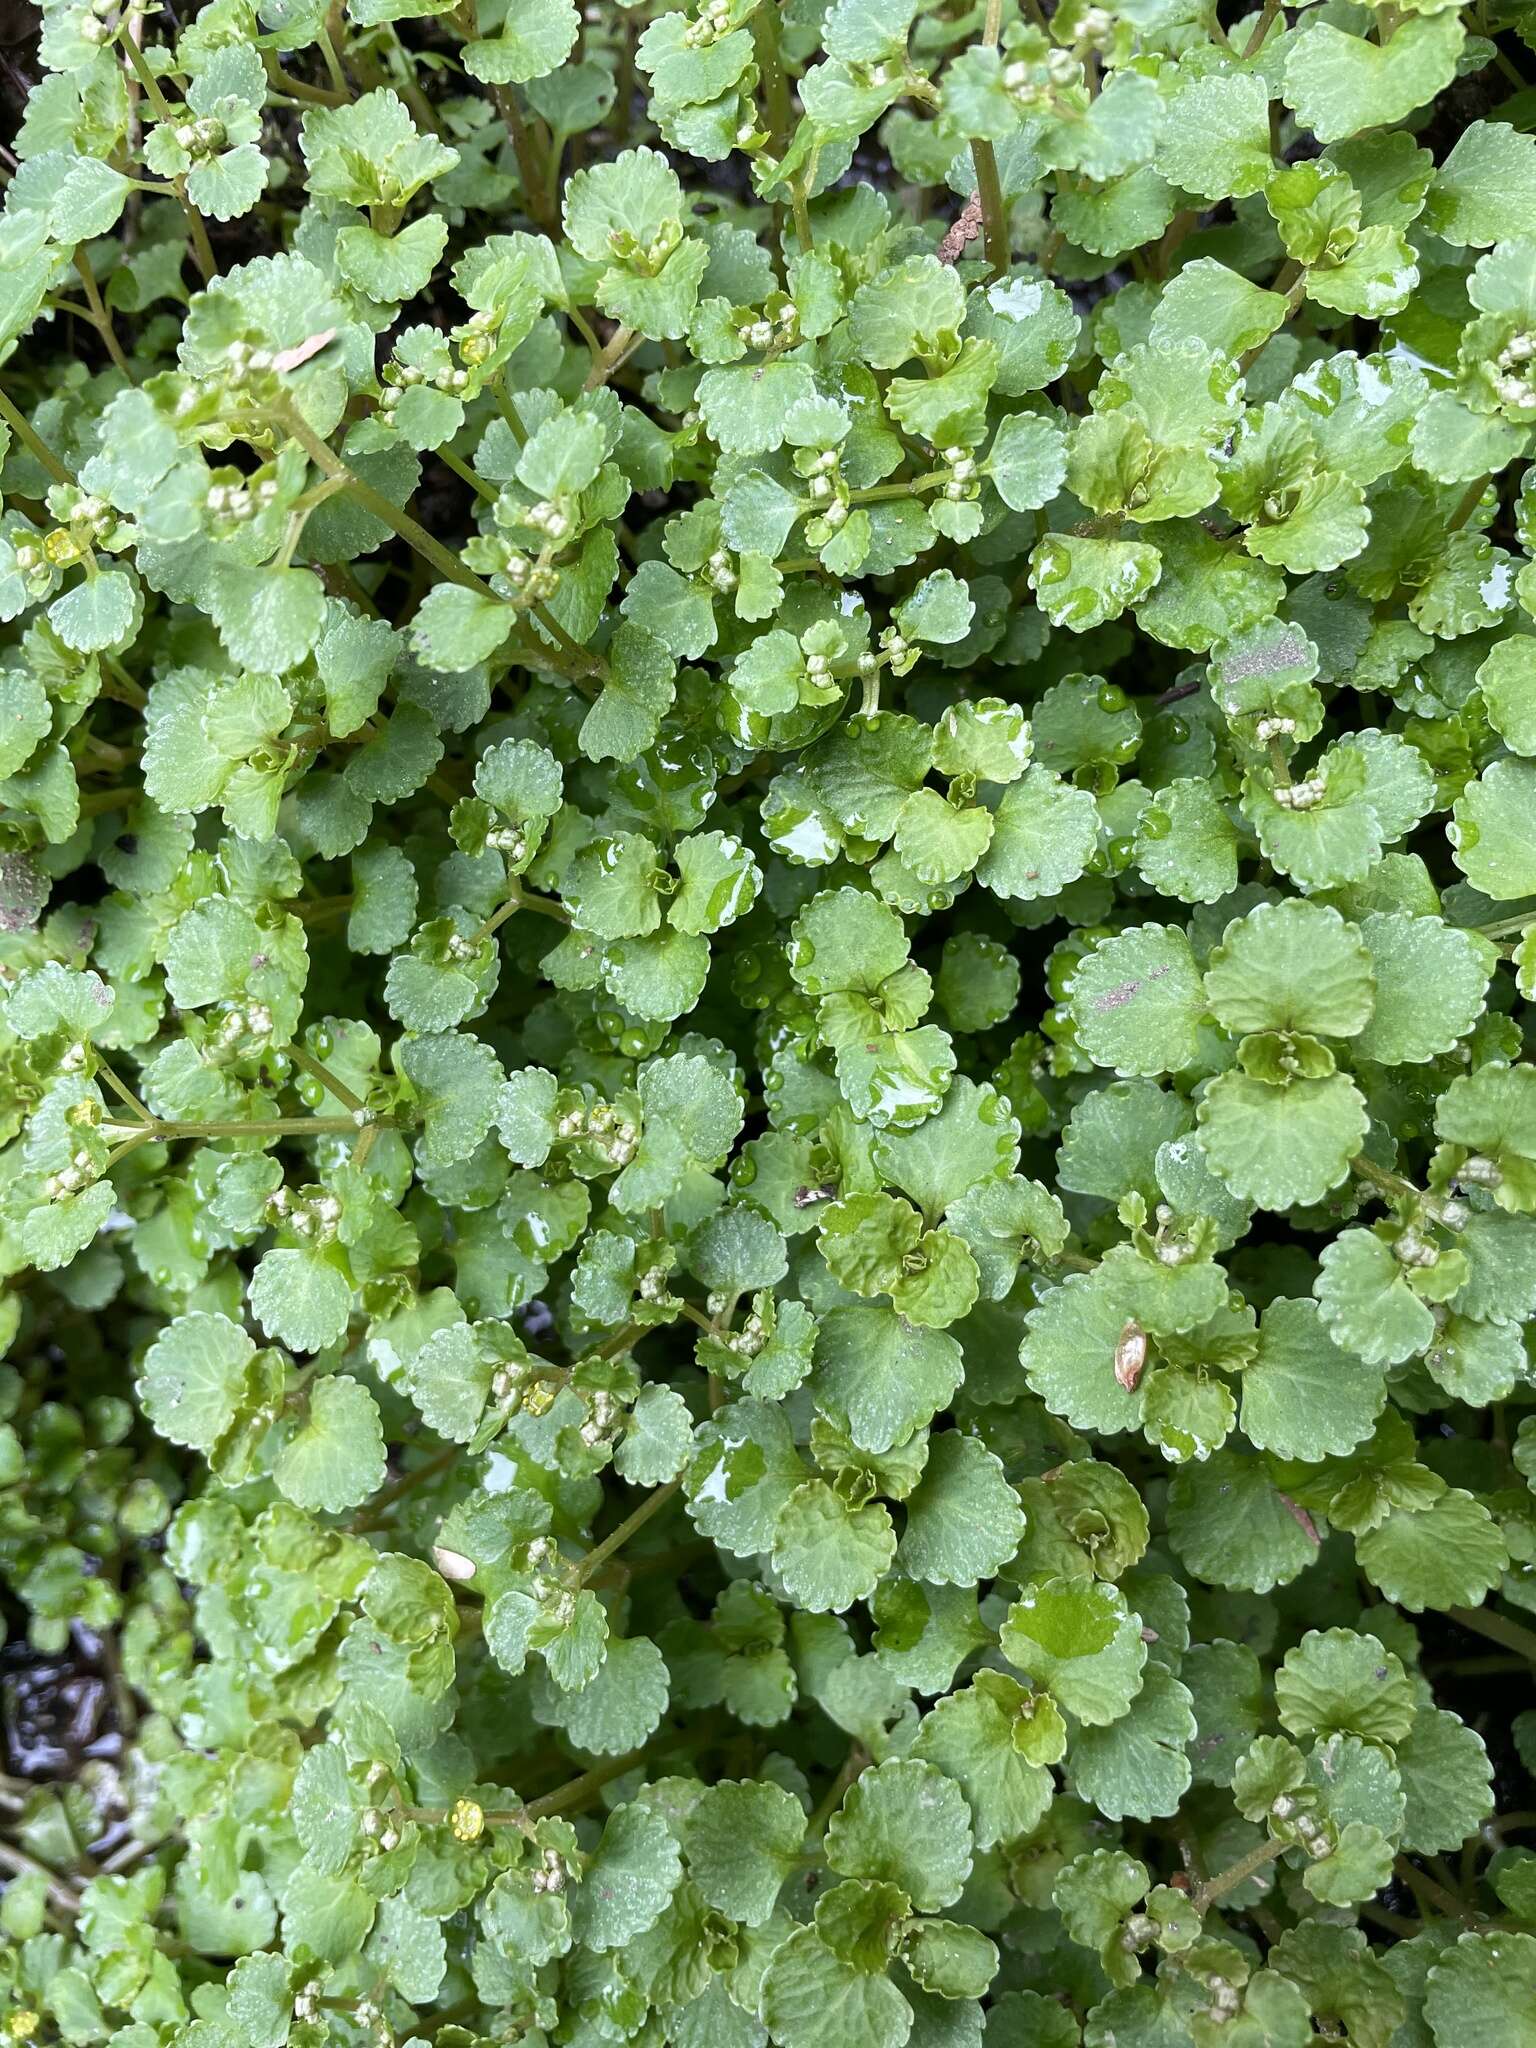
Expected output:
{"points": [[1295, 968]]}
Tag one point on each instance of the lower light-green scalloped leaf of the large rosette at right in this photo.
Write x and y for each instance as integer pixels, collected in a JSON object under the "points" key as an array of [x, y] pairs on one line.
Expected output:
{"points": [[1281, 1148]]}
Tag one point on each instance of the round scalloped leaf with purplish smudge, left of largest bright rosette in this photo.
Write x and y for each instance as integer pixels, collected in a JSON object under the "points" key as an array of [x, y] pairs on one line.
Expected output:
{"points": [[1138, 1002]]}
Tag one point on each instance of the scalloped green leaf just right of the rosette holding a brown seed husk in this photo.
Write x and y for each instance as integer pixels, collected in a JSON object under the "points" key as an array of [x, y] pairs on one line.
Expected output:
{"points": [[1304, 1398]]}
